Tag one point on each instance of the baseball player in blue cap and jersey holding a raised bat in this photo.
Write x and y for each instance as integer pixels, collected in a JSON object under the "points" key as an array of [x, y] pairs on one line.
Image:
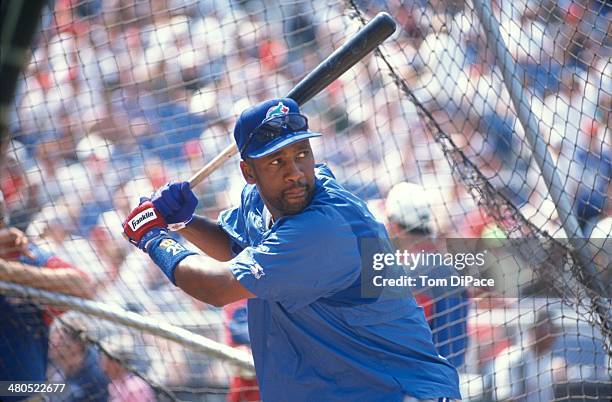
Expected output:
{"points": [[293, 247]]}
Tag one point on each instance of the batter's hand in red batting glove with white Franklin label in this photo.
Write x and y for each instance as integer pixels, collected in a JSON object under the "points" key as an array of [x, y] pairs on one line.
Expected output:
{"points": [[143, 224]]}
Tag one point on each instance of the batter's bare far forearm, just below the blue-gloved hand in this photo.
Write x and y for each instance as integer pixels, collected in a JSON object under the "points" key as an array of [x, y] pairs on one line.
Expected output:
{"points": [[206, 235]]}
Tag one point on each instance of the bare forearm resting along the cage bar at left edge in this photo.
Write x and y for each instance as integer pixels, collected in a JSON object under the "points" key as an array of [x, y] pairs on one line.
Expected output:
{"points": [[67, 281]]}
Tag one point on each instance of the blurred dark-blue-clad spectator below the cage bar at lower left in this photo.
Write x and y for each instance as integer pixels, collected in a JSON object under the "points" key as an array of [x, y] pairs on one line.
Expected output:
{"points": [[76, 364]]}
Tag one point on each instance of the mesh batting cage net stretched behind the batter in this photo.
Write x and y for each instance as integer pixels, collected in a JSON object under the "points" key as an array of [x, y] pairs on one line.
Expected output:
{"points": [[481, 126]]}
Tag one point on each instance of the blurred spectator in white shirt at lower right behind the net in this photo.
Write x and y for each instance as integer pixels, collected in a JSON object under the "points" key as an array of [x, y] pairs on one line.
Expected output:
{"points": [[527, 371]]}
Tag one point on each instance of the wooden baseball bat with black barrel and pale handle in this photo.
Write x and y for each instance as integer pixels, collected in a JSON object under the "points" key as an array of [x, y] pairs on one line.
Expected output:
{"points": [[340, 61]]}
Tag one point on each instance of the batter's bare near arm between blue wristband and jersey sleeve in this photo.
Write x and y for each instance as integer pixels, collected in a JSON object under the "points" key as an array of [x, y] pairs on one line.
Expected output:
{"points": [[211, 283]]}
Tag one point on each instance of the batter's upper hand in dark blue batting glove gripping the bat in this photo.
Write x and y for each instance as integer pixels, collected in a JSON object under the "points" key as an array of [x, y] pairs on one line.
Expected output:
{"points": [[176, 203]]}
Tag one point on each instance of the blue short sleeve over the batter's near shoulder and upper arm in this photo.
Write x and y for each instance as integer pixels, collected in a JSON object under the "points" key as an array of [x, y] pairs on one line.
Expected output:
{"points": [[308, 256]]}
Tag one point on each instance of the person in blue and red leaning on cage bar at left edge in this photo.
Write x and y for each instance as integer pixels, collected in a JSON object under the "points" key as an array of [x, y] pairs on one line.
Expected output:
{"points": [[24, 328]]}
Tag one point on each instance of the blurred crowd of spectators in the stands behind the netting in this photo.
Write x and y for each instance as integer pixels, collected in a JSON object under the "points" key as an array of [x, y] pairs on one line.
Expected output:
{"points": [[122, 96]]}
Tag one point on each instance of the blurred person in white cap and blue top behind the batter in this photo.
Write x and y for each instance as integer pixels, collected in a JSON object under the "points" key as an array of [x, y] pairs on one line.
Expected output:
{"points": [[411, 224]]}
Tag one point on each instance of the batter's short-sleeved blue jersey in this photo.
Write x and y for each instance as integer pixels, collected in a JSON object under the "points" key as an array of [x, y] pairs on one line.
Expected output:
{"points": [[313, 335]]}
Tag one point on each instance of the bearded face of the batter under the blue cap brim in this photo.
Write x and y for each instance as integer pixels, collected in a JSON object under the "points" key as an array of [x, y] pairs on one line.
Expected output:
{"points": [[284, 179]]}
